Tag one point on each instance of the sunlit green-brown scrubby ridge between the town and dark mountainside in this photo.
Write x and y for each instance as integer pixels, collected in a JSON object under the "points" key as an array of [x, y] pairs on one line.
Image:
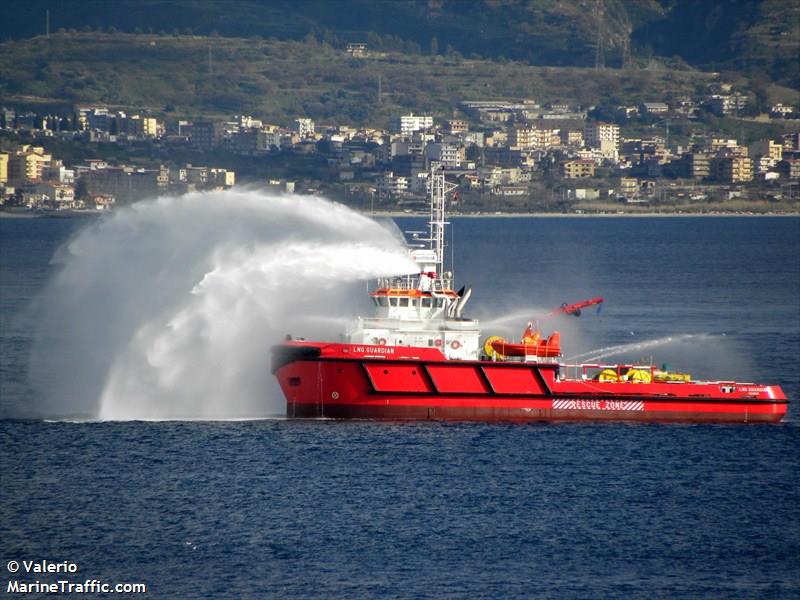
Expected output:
{"points": [[279, 80]]}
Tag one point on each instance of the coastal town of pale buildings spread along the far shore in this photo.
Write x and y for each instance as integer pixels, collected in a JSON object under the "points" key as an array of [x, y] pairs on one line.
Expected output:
{"points": [[506, 156]]}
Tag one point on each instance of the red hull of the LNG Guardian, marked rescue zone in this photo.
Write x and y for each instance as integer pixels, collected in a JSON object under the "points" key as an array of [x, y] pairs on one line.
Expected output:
{"points": [[349, 381]]}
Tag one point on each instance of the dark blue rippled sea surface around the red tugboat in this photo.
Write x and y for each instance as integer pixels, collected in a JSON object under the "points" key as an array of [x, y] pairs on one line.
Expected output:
{"points": [[273, 508]]}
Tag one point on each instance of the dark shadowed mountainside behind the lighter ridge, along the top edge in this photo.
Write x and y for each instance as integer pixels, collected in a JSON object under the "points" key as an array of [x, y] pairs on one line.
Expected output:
{"points": [[754, 35]]}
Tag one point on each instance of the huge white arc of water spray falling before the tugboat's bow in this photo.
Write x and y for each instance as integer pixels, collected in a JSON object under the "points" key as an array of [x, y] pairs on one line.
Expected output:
{"points": [[166, 309]]}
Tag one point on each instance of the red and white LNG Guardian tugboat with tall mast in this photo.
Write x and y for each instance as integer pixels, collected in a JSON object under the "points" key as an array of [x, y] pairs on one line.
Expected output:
{"points": [[420, 358]]}
